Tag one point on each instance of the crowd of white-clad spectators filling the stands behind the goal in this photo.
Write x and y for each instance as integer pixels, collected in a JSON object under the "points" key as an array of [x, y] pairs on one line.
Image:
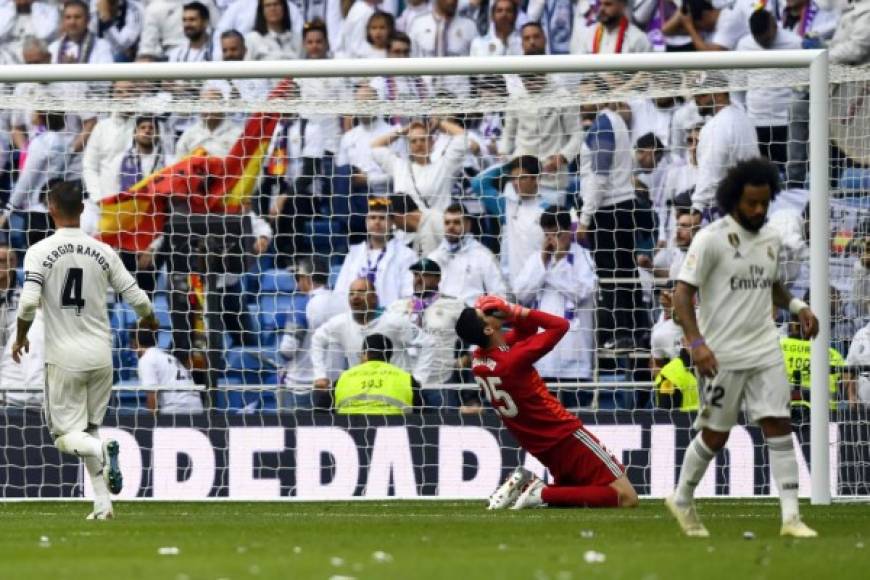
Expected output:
{"points": [[389, 226]]}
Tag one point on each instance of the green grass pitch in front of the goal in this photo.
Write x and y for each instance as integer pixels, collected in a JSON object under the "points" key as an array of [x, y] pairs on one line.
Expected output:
{"points": [[419, 540]]}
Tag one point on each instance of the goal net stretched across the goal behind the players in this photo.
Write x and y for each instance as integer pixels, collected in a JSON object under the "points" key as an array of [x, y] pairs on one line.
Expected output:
{"points": [[277, 223]]}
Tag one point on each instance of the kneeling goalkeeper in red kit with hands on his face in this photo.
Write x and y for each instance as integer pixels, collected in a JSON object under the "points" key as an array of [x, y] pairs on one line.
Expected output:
{"points": [[585, 474]]}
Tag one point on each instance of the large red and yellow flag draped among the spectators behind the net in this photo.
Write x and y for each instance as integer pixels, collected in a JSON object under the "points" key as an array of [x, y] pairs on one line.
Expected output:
{"points": [[132, 220]]}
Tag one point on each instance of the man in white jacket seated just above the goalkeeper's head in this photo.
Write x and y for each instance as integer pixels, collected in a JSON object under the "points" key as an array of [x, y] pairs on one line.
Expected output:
{"points": [[468, 268]]}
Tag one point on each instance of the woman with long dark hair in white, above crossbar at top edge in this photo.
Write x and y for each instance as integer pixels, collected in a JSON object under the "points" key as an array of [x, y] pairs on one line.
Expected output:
{"points": [[273, 36]]}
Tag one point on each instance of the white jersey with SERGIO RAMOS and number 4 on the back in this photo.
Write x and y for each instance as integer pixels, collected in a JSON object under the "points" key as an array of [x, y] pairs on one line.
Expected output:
{"points": [[69, 274]]}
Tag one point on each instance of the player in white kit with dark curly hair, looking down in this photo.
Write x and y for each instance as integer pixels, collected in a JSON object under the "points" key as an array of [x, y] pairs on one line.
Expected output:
{"points": [[733, 265]]}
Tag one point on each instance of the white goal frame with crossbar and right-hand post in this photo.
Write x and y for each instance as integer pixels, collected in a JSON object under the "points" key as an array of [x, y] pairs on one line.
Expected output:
{"points": [[813, 62]]}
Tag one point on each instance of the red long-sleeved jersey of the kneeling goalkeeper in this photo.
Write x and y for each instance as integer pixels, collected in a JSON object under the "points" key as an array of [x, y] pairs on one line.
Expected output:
{"points": [[515, 389]]}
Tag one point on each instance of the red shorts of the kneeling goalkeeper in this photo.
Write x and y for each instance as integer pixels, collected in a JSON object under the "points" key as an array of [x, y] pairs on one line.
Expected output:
{"points": [[579, 460]]}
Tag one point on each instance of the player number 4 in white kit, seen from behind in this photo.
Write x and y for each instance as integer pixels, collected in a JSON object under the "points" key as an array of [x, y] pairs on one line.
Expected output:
{"points": [[68, 275]]}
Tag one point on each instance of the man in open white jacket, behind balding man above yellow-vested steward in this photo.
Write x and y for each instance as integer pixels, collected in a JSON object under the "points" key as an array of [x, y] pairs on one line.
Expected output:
{"points": [[381, 259]]}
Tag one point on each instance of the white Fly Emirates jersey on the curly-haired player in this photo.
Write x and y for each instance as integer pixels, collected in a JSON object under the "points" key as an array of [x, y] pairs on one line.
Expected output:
{"points": [[734, 270]]}
